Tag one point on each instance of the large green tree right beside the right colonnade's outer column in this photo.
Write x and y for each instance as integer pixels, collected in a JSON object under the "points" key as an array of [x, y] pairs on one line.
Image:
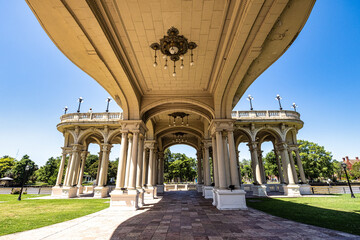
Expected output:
{"points": [[317, 162]]}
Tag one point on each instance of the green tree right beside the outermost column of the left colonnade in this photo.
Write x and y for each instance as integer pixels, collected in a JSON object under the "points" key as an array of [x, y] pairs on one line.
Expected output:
{"points": [[48, 173]]}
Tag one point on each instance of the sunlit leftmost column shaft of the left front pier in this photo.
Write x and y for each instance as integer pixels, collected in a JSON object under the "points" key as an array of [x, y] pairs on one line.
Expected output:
{"points": [[120, 176]]}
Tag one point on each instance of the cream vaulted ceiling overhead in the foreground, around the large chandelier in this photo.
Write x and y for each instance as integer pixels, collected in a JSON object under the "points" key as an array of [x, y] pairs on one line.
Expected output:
{"points": [[110, 39]]}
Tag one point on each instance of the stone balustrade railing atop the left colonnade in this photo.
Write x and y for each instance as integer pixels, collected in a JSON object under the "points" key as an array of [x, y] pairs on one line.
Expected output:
{"points": [[84, 117]]}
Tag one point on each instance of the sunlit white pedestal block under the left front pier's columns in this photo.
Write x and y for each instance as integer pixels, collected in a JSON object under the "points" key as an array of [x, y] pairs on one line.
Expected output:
{"points": [[126, 200]]}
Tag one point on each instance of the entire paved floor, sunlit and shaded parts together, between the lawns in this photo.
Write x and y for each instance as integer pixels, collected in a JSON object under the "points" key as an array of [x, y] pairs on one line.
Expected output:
{"points": [[180, 215]]}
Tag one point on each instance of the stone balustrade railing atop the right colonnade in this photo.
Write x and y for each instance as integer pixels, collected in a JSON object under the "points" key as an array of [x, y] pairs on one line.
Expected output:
{"points": [[273, 114]]}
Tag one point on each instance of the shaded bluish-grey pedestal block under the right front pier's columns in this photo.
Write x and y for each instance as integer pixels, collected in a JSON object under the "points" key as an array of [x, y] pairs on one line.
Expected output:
{"points": [[230, 200]]}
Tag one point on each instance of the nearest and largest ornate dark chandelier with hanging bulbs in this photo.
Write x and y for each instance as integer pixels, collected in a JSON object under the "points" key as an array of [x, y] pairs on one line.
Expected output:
{"points": [[174, 46]]}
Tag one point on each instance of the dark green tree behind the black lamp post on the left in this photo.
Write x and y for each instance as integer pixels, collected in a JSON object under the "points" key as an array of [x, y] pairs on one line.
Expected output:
{"points": [[18, 170]]}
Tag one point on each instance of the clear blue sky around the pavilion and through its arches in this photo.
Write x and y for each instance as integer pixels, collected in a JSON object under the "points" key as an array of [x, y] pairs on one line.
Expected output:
{"points": [[320, 72]]}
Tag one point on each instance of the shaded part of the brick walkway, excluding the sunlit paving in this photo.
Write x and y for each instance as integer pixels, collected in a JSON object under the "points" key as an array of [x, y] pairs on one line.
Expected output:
{"points": [[187, 215]]}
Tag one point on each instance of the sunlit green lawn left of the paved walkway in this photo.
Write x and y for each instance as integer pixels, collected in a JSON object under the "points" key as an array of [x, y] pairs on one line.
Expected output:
{"points": [[18, 216]]}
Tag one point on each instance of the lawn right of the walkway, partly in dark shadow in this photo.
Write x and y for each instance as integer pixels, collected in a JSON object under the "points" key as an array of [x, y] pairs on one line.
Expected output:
{"points": [[340, 212]]}
